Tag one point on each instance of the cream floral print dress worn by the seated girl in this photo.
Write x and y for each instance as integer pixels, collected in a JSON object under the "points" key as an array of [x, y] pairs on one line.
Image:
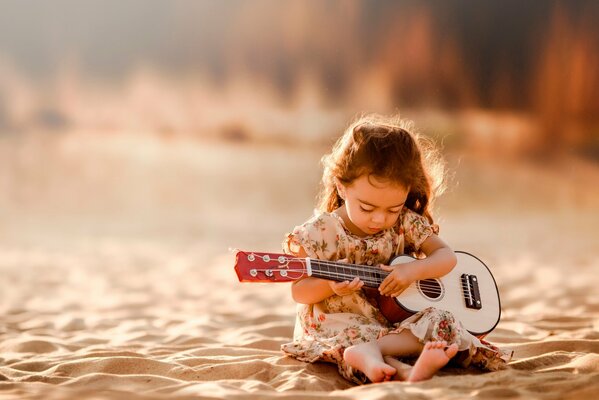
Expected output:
{"points": [[324, 330]]}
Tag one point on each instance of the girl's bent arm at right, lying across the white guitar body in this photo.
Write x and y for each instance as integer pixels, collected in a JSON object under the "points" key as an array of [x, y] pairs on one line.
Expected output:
{"points": [[440, 260]]}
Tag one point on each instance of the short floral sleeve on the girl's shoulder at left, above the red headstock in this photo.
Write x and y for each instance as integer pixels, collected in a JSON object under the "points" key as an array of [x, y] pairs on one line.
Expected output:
{"points": [[319, 237]]}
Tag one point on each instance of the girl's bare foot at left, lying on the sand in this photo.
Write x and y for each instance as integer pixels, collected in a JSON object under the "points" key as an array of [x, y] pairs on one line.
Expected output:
{"points": [[367, 358]]}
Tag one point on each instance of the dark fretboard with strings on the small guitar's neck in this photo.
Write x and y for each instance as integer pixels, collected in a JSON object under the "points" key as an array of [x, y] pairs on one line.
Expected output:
{"points": [[338, 271]]}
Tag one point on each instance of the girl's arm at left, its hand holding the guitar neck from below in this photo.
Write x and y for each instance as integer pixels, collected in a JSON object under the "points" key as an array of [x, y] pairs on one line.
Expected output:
{"points": [[312, 290]]}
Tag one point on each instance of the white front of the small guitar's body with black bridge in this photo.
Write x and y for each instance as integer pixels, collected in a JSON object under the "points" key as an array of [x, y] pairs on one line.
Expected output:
{"points": [[469, 292]]}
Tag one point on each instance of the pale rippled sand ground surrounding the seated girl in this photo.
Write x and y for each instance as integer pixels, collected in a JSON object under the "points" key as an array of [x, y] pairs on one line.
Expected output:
{"points": [[116, 278]]}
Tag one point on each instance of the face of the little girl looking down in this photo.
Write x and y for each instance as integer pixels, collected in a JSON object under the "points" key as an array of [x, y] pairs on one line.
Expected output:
{"points": [[371, 205]]}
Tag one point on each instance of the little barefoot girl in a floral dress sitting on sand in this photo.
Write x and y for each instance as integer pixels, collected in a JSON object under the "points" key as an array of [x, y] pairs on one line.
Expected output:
{"points": [[377, 189]]}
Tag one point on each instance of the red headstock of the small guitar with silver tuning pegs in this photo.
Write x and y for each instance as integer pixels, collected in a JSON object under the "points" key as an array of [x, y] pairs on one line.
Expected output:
{"points": [[268, 267]]}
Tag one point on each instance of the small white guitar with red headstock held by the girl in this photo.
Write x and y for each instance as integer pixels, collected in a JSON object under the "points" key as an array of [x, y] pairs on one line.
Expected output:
{"points": [[469, 291]]}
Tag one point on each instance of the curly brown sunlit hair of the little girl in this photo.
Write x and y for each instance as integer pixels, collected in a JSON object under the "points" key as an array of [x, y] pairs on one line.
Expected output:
{"points": [[389, 149]]}
